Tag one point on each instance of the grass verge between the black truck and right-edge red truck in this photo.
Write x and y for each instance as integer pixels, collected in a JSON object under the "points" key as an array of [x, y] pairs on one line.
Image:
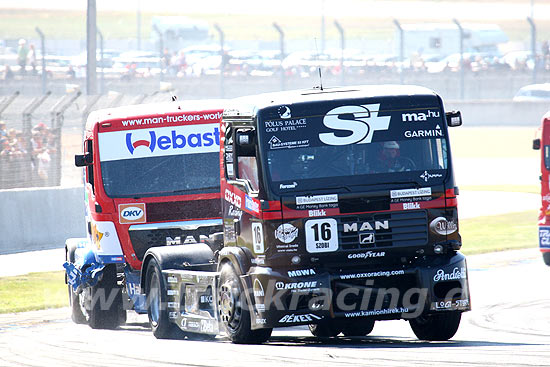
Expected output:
{"points": [[499, 232]]}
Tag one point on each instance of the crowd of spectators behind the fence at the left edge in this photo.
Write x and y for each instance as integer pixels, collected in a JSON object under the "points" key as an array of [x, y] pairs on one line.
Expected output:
{"points": [[25, 158]]}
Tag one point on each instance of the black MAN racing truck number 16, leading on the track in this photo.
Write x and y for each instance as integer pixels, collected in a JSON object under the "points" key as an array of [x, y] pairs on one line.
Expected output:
{"points": [[339, 209]]}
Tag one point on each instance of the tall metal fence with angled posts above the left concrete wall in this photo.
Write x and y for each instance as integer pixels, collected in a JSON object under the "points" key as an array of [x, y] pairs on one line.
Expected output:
{"points": [[39, 136]]}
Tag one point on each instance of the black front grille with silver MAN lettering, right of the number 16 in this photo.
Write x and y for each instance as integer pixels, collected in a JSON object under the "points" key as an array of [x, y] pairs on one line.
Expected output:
{"points": [[404, 229]]}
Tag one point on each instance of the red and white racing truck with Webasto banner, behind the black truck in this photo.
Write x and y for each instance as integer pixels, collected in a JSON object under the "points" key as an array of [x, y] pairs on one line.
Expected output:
{"points": [[151, 179]]}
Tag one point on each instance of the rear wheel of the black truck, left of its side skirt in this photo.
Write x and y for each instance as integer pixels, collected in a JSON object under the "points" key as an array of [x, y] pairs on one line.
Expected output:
{"points": [[156, 305]]}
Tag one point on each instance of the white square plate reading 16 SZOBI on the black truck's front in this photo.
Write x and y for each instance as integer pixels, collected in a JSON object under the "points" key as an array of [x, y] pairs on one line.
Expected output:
{"points": [[321, 235]]}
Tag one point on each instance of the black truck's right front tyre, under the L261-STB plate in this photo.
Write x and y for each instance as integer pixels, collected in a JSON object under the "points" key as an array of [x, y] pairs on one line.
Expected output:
{"points": [[438, 327]]}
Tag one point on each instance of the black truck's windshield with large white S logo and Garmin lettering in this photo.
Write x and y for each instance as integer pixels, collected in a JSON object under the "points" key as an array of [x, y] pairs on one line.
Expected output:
{"points": [[354, 145]]}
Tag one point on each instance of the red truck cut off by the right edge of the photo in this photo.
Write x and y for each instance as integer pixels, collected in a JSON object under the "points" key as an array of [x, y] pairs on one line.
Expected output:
{"points": [[542, 143]]}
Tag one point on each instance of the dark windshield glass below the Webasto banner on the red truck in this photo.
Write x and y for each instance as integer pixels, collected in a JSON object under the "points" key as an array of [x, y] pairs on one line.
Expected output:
{"points": [[158, 176]]}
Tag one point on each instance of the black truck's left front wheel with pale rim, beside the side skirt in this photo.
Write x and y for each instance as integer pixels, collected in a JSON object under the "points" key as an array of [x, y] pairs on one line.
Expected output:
{"points": [[233, 313]]}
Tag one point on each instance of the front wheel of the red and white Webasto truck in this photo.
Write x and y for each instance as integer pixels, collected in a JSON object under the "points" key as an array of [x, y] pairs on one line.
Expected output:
{"points": [[103, 301]]}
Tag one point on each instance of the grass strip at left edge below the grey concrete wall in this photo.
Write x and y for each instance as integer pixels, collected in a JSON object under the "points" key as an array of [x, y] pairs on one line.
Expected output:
{"points": [[34, 291]]}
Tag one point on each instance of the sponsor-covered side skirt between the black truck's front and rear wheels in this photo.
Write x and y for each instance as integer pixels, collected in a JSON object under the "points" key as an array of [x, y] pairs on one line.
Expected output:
{"points": [[192, 301]]}
